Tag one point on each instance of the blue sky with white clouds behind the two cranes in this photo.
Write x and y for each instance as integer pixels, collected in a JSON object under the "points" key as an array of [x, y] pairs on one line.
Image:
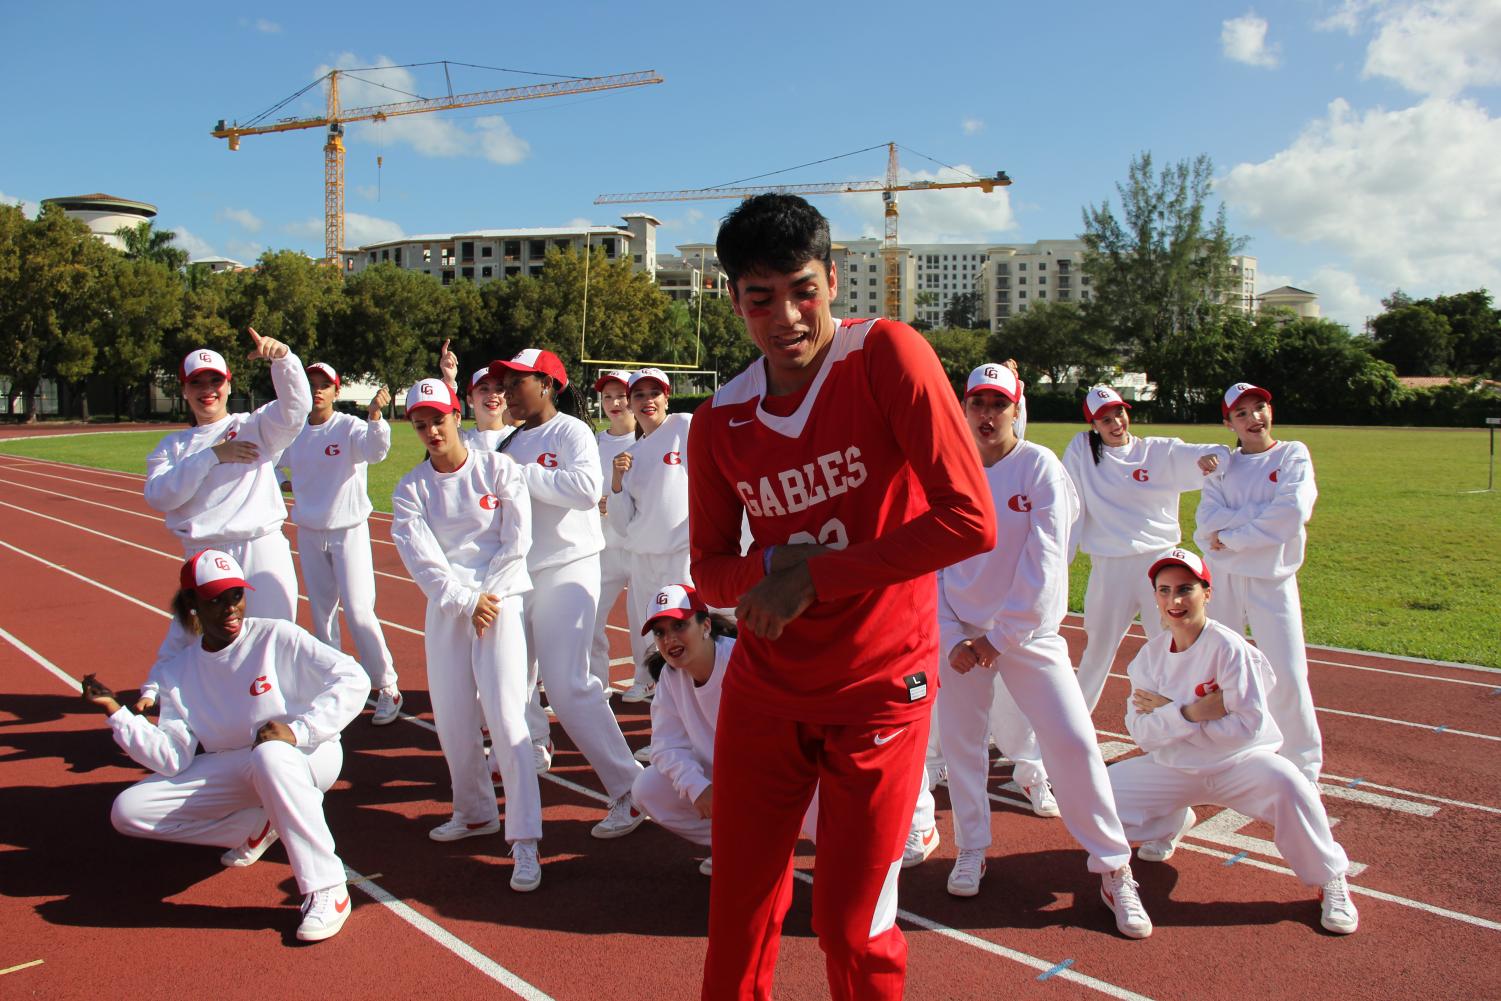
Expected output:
{"points": [[1355, 140]]}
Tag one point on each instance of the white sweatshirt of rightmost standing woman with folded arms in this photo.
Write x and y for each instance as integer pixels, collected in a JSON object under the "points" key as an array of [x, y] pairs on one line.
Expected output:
{"points": [[1260, 508]]}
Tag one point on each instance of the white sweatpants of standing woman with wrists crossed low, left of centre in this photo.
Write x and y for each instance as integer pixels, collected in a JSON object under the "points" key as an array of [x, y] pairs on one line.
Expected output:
{"points": [[495, 667]]}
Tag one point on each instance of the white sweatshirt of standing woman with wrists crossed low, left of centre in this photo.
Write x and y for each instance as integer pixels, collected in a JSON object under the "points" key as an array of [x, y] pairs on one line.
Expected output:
{"points": [[465, 534]]}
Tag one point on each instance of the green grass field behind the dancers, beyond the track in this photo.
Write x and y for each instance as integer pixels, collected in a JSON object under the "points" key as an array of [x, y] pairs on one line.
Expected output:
{"points": [[1401, 559]]}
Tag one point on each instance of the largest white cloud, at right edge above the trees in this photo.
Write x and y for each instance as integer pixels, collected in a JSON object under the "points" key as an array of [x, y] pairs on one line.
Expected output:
{"points": [[1406, 197]]}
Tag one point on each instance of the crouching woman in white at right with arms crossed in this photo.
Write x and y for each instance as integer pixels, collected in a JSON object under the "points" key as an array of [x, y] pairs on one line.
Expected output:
{"points": [[1200, 711]]}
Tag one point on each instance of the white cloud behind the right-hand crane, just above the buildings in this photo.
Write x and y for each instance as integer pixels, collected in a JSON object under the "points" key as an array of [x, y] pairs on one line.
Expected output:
{"points": [[958, 215]]}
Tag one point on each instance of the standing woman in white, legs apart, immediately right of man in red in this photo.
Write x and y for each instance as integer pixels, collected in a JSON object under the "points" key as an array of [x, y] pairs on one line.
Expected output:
{"points": [[999, 618]]}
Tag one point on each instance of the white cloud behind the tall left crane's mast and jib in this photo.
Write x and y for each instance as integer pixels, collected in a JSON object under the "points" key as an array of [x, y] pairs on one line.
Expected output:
{"points": [[430, 134]]}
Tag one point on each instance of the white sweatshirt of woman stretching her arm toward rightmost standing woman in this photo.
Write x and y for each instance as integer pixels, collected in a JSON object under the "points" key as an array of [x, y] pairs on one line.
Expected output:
{"points": [[1130, 500]]}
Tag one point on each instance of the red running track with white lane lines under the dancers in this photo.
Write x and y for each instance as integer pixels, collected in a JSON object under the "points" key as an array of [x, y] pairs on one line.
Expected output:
{"points": [[86, 567]]}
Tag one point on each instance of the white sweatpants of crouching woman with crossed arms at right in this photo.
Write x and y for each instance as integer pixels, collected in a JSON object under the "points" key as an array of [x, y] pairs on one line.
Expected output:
{"points": [[1152, 801]]}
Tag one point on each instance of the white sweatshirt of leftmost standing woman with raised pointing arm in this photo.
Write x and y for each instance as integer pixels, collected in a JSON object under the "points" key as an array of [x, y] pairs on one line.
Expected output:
{"points": [[206, 500]]}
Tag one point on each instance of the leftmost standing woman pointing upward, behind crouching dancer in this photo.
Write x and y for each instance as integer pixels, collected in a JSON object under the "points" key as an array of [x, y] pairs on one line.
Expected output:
{"points": [[217, 482]]}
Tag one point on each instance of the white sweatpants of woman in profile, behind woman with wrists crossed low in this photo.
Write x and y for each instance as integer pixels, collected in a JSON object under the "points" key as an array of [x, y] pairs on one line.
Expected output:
{"points": [[561, 627]]}
